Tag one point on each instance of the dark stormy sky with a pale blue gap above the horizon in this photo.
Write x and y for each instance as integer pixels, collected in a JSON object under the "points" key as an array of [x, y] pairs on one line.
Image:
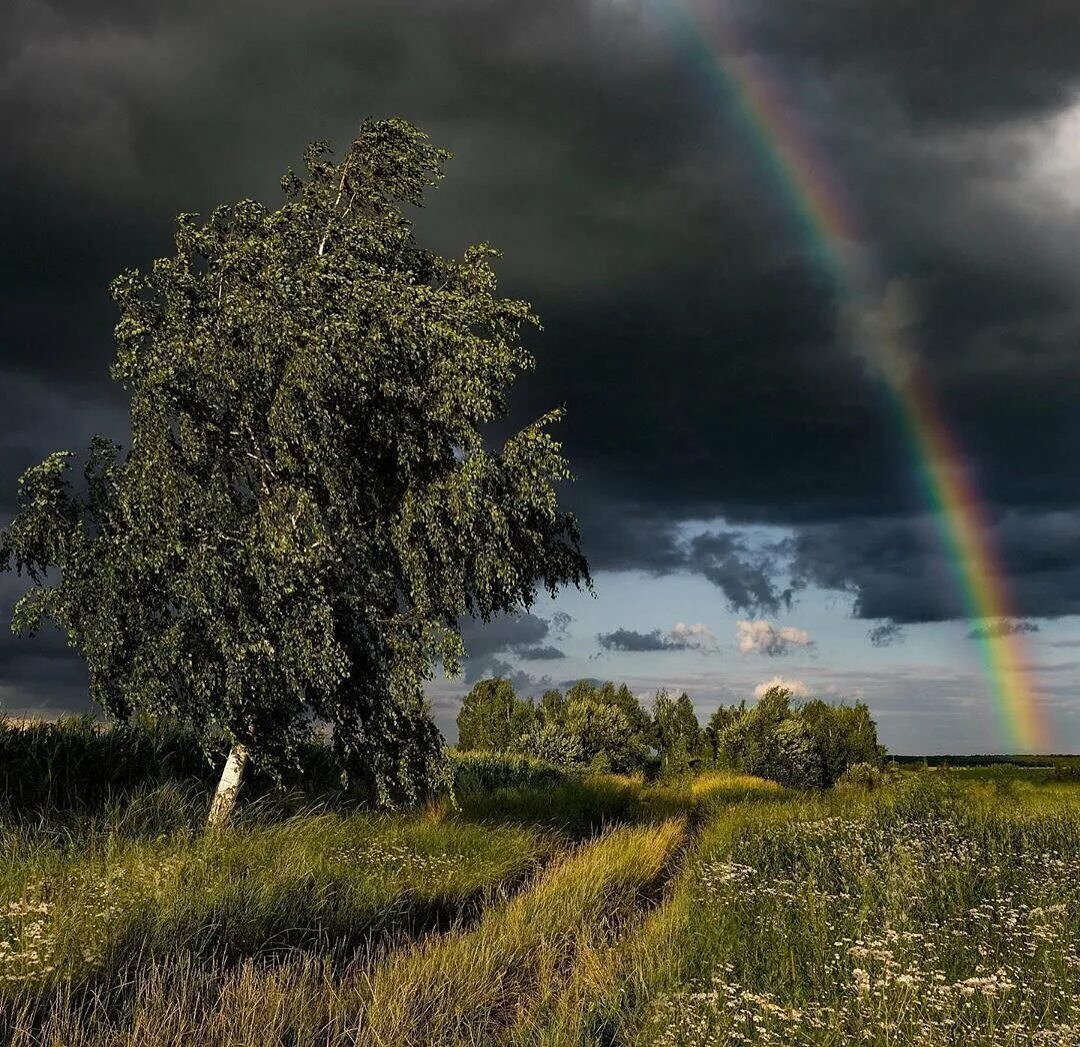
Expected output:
{"points": [[749, 505]]}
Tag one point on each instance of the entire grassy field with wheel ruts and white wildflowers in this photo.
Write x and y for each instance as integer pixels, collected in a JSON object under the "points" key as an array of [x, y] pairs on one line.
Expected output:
{"points": [[943, 907]]}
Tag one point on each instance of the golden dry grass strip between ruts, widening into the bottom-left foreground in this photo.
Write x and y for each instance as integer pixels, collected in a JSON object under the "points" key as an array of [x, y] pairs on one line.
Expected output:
{"points": [[466, 987]]}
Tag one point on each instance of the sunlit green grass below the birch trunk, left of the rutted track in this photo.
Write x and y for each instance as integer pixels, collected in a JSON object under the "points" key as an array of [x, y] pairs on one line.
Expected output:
{"points": [[328, 882]]}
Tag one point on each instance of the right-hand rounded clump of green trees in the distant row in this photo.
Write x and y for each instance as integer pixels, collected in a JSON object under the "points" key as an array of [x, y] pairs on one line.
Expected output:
{"points": [[805, 748]]}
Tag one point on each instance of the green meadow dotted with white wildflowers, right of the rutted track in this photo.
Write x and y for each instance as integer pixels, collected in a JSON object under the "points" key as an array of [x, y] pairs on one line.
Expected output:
{"points": [[943, 909]]}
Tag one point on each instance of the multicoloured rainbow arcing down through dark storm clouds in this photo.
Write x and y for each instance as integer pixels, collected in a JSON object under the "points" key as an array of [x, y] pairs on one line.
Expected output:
{"points": [[830, 225]]}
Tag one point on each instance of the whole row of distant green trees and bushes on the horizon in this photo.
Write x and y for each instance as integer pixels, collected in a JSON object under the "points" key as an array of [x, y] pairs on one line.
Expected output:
{"points": [[606, 728]]}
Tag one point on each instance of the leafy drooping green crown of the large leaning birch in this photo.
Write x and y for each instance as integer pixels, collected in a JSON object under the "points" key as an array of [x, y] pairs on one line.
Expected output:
{"points": [[307, 507]]}
